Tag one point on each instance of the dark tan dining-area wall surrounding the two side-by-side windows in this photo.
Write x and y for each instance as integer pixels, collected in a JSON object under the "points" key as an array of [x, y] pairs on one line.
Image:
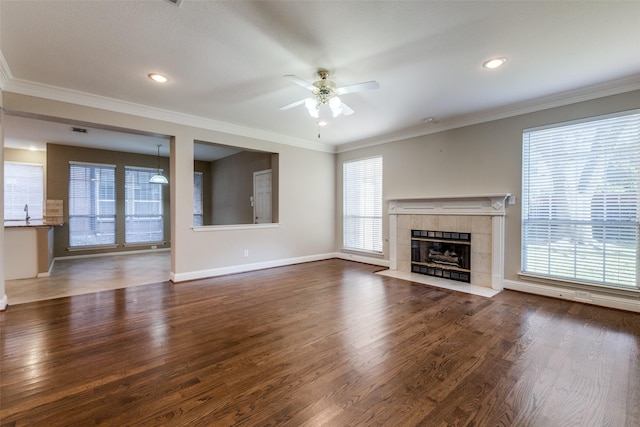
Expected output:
{"points": [[58, 158]]}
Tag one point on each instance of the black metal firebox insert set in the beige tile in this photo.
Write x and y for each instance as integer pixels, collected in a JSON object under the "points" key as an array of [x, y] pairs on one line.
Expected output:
{"points": [[441, 254]]}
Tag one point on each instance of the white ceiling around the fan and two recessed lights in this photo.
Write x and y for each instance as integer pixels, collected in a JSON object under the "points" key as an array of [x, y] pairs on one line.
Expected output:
{"points": [[225, 61]]}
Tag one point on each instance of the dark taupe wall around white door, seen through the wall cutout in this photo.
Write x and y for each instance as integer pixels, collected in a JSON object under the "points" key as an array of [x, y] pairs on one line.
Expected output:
{"points": [[232, 186]]}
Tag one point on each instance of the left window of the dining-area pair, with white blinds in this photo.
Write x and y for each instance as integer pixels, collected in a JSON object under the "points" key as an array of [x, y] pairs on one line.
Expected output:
{"points": [[92, 205]]}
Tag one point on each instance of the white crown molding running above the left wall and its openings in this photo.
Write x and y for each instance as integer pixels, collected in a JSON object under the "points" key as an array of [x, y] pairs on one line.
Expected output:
{"points": [[54, 93]]}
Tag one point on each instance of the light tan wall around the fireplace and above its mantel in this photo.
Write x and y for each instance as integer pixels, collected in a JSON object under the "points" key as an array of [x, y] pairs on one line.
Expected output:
{"points": [[479, 159]]}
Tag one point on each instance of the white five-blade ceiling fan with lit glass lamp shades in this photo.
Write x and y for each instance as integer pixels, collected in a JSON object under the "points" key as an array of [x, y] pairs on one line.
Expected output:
{"points": [[325, 92]]}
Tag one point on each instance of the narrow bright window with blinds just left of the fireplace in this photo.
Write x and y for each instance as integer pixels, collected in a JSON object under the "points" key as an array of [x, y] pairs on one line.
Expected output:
{"points": [[362, 205]]}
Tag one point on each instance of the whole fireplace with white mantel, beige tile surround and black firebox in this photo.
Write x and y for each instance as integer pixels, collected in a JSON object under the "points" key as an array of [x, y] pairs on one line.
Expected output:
{"points": [[480, 215]]}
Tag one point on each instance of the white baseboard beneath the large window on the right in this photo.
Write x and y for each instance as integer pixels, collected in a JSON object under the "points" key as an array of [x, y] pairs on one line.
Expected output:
{"points": [[586, 296]]}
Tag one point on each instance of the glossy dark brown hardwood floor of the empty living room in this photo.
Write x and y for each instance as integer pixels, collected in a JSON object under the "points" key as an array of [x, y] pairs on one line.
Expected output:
{"points": [[324, 343]]}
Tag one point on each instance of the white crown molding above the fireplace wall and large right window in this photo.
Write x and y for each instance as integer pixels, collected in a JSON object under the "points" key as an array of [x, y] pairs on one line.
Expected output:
{"points": [[614, 87]]}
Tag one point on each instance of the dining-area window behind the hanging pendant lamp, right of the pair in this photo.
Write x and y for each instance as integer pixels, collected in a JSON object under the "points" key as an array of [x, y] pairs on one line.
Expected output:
{"points": [[143, 207]]}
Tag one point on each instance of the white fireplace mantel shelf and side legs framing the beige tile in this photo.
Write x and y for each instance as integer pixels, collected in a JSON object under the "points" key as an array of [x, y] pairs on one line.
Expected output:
{"points": [[491, 205]]}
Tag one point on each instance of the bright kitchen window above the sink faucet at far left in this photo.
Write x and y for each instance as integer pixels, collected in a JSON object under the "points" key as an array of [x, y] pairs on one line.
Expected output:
{"points": [[23, 191]]}
